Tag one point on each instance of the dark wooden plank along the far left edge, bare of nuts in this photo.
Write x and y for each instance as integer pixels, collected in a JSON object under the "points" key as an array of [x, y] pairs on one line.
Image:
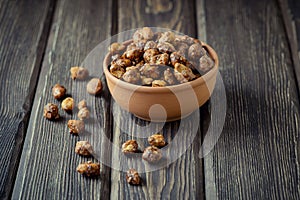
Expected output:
{"points": [[22, 42]]}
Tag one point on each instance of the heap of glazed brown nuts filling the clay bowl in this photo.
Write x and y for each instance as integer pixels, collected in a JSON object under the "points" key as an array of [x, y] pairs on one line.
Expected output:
{"points": [[159, 59]]}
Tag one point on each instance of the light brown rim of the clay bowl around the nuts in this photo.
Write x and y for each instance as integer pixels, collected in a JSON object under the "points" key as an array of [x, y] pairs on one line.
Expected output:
{"points": [[199, 81]]}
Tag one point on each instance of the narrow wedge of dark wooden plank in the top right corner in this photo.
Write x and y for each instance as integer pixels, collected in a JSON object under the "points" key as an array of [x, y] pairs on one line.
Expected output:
{"points": [[290, 12]]}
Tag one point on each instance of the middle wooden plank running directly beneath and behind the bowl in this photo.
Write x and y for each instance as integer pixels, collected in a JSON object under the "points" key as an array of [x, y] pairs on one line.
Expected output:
{"points": [[182, 179]]}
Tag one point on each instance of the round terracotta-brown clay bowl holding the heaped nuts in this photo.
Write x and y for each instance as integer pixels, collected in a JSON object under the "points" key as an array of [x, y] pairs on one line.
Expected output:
{"points": [[178, 101]]}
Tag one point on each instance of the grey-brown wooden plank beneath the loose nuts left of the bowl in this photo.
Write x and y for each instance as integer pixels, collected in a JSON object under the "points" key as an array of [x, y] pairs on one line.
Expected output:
{"points": [[48, 164]]}
